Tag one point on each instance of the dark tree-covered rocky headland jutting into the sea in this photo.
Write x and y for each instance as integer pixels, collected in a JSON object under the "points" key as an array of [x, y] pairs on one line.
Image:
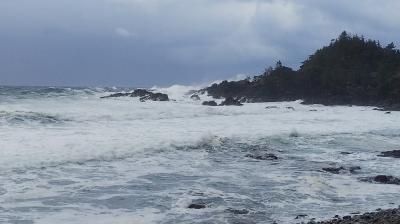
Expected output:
{"points": [[352, 70]]}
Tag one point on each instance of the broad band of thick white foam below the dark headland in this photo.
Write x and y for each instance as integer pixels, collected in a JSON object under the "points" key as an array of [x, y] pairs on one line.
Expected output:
{"points": [[103, 129]]}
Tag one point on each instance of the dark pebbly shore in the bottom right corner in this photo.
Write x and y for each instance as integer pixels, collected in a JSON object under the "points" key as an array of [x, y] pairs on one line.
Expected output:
{"points": [[390, 216]]}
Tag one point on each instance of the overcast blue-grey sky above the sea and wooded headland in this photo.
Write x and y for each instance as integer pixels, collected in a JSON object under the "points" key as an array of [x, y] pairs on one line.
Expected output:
{"points": [[164, 42]]}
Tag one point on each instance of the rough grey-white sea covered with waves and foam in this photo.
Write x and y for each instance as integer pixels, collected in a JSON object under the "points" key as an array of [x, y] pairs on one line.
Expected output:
{"points": [[67, 156]]}
